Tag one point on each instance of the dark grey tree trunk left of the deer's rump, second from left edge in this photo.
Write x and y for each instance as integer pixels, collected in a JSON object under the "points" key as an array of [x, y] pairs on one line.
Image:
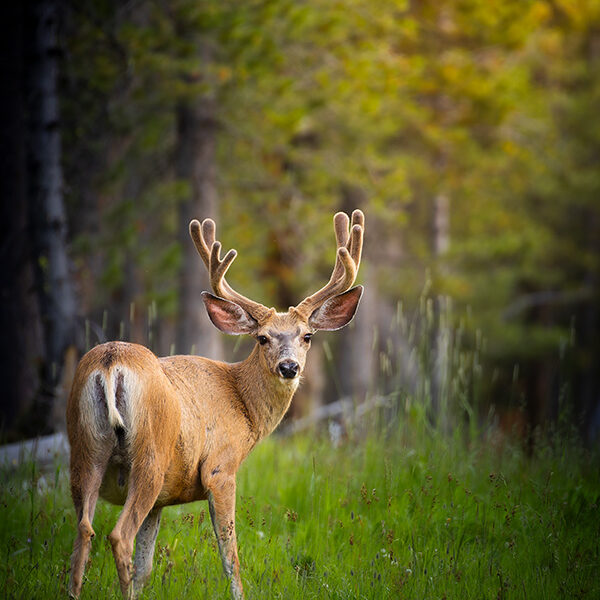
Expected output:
{"points": [[47, 212]]}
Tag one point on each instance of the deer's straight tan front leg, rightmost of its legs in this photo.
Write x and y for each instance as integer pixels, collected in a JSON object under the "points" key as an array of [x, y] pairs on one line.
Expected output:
{"points": [[221, 504]]}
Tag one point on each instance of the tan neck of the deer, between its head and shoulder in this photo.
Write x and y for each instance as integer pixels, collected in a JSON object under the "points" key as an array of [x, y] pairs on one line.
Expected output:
{"points": [[265, 395]]}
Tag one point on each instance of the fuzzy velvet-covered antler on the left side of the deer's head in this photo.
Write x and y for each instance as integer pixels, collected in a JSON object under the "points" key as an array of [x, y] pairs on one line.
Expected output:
{"points": [[204, 237]]}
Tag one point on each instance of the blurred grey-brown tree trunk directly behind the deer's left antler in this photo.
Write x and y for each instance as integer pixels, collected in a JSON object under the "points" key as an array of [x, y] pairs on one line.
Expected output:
{"points": [[195, 163]]}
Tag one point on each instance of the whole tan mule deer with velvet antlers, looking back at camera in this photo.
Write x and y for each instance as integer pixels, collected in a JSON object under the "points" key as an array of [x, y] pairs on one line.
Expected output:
{"points": [[148, 432]]}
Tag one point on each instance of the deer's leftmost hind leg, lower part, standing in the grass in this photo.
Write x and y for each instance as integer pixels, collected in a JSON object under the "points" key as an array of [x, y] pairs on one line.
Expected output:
{"points": [[85, 486]]}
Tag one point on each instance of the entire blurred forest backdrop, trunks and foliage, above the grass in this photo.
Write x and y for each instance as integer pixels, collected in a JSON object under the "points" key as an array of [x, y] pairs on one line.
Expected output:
{"points": [[467, 131]]}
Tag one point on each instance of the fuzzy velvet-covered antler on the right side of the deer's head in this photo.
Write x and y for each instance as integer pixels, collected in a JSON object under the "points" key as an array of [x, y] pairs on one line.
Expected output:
{"points": [[349, 250]]}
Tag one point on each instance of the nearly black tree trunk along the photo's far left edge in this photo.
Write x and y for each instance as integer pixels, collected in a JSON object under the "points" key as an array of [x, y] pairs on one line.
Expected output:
{"points": [[20, 342]]}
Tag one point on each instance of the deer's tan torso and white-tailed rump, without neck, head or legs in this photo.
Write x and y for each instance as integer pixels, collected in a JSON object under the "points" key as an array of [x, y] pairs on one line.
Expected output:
{"points": [[169, 415]]}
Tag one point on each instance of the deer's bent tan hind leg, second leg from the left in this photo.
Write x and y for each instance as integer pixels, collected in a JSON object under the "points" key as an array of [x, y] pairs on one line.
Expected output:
{"points": [[144, 486]]}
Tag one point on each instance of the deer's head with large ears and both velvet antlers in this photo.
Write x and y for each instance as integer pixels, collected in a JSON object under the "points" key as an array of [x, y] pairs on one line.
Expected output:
{"points": [[283, 338]]}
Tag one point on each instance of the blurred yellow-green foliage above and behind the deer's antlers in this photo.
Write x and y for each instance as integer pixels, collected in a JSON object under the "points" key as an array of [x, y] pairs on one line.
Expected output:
{"points": [[323, 105]]}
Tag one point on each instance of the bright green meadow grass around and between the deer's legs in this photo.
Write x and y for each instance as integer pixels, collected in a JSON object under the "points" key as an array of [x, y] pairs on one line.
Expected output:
{"points": [[384, 515]]}
